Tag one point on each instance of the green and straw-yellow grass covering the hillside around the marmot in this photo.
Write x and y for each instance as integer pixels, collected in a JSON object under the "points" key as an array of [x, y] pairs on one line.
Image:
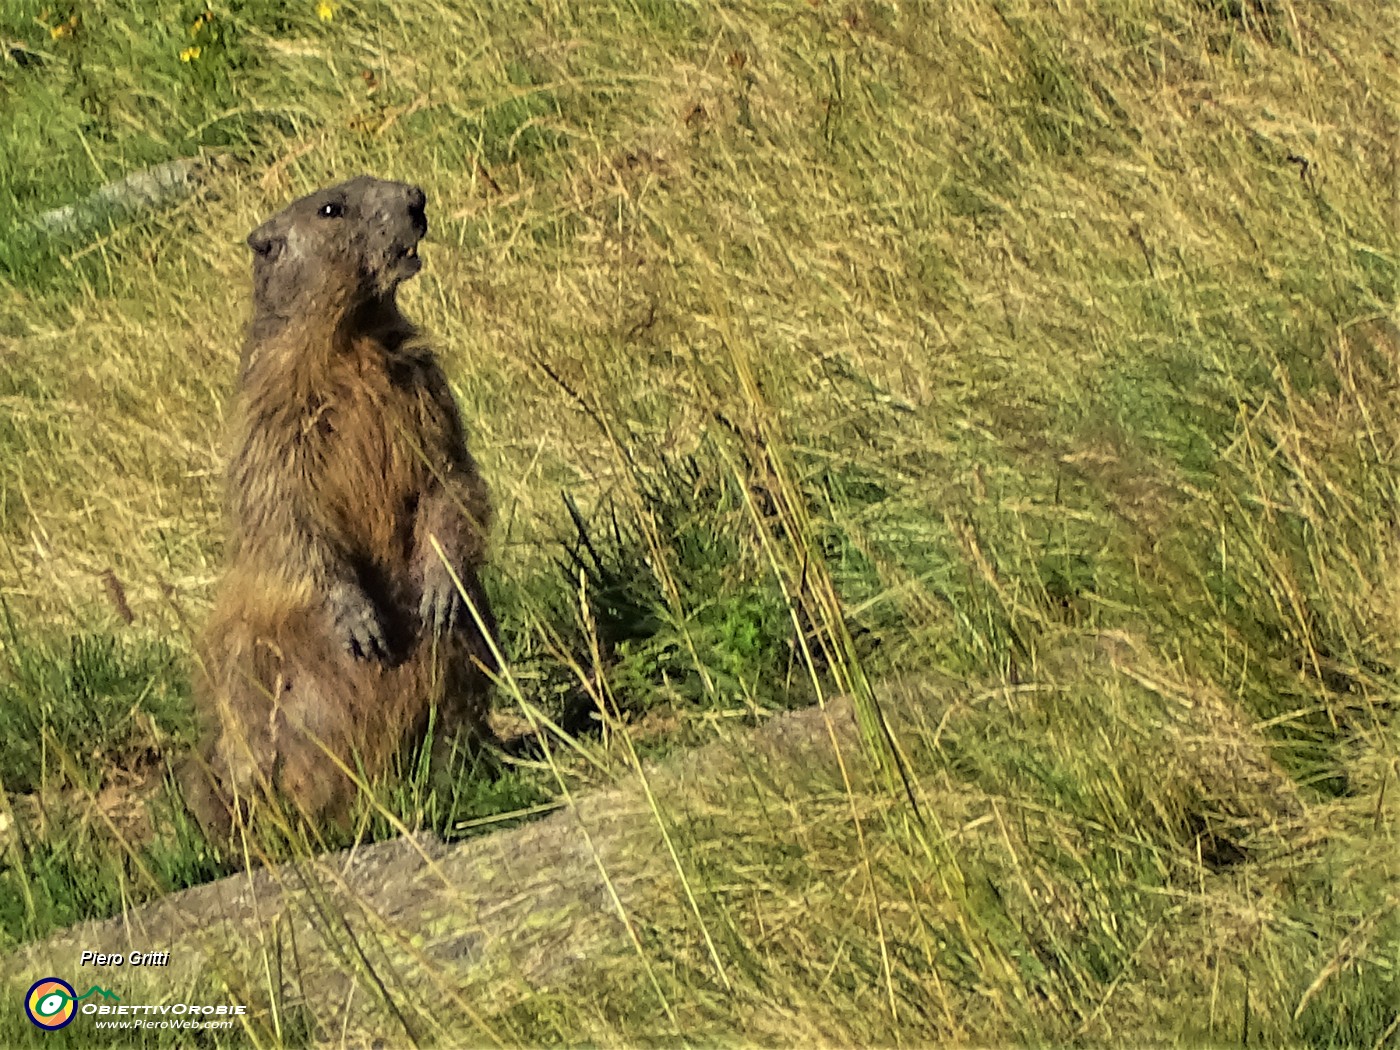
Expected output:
{"points": [[1044, 356]]}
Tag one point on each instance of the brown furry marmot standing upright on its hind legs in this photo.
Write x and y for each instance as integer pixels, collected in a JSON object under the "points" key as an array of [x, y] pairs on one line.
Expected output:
{"points": [[338, 626]]}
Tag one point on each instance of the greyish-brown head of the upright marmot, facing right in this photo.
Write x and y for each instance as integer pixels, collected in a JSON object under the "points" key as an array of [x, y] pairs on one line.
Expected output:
{"points": [[338, 248]]}
